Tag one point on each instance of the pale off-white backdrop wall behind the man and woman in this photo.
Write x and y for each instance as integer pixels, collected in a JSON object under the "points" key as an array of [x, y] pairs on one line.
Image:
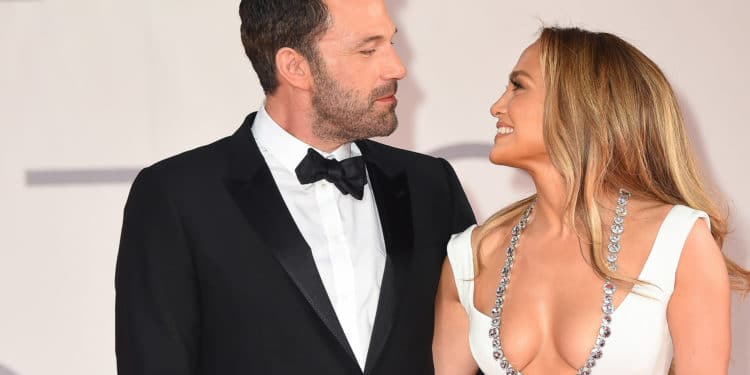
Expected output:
{"points": [[91, 90]]}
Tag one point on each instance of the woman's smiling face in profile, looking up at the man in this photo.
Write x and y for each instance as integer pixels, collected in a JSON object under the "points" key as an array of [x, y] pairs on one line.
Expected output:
{"points": [[519, 141]]}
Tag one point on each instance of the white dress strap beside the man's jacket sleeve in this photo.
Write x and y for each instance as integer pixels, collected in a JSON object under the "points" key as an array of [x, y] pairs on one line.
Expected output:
{"points": [[461, 258]]}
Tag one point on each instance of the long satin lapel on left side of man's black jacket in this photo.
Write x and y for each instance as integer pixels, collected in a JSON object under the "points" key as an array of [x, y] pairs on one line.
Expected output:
{"points": [[255, 192]]}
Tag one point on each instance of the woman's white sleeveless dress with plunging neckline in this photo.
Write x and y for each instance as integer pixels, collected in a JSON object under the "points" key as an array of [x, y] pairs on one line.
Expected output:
{"points": [[640, 342]]}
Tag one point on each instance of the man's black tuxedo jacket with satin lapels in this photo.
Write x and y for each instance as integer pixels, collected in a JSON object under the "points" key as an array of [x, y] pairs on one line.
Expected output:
{"points": [[213, 277]]}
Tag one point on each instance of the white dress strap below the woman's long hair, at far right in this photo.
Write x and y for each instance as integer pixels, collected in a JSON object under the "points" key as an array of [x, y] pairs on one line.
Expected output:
{"points": [[661, 265]]}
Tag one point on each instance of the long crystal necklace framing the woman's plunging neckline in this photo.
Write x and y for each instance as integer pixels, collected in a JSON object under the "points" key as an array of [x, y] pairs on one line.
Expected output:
{"points": [[608, 289]]}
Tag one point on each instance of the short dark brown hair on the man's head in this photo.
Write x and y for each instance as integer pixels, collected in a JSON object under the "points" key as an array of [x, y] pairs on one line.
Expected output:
{"points": [[269, 25]]}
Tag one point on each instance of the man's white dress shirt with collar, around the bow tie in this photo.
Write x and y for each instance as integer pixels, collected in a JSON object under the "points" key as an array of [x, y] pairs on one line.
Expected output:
{"points": [[344, 233]]}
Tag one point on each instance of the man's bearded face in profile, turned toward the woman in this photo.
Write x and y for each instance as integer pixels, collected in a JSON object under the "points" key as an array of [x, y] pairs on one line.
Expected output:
{"points": [[356, 74]]}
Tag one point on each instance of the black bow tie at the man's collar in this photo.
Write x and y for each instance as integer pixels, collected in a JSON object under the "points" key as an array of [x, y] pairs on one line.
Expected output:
{"points": [[348, 175]]}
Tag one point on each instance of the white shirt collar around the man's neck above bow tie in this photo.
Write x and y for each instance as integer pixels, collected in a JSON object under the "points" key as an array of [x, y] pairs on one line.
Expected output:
{"points": [[286, 148]]}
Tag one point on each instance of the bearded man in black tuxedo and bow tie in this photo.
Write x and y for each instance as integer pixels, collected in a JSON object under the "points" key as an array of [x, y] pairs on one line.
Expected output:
{"points": [[295, 245]]}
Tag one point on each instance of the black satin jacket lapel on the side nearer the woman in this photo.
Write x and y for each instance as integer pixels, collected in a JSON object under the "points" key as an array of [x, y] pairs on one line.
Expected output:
{"points": [[391, 190]]}
